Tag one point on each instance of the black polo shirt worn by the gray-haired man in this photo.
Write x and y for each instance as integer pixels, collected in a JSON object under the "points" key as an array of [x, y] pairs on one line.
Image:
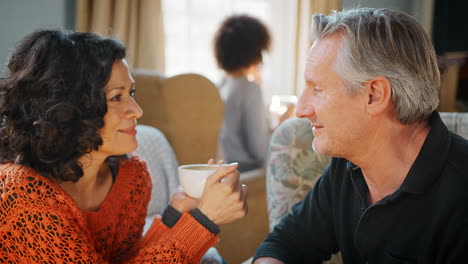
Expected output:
{"points": [[424, 221]]}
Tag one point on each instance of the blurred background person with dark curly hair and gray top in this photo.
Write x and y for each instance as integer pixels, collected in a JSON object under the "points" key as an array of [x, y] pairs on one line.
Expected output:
{"points": [[239, 43]]}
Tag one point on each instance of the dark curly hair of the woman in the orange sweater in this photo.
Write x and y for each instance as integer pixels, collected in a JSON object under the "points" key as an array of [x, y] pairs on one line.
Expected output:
{"points": [[52, 103]]}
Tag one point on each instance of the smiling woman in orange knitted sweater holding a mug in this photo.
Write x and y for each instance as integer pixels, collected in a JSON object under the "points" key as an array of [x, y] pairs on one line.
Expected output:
{"points": [[69, 190]]}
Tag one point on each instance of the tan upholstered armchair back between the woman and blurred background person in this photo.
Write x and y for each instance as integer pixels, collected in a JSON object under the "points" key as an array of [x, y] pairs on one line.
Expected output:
{"points": [[188, 110]]}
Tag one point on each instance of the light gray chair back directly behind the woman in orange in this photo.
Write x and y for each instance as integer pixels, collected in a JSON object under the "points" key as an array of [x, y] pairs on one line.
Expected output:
{"points": [[154, 148]]}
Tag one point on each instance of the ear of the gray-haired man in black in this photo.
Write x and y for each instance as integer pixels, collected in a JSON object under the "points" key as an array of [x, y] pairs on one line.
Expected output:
{"points": [[379, 93]]}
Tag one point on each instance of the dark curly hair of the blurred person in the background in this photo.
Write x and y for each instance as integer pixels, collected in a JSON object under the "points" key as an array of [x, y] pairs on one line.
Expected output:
{"points": [[239, 42]]}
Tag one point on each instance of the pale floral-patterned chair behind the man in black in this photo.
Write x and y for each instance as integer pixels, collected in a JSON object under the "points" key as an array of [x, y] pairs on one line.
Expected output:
{"points": [[293, 167]]}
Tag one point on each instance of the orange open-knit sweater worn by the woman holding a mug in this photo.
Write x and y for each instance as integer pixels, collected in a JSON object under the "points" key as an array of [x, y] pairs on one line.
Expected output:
{"points": [[40, 223]]}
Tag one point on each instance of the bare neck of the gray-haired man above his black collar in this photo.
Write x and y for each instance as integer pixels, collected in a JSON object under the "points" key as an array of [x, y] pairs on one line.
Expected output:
{"points": [[390, 154]]}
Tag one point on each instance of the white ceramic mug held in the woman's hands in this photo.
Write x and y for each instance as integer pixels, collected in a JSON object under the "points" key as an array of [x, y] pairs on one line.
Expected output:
{"points": [[193, 178]]}
